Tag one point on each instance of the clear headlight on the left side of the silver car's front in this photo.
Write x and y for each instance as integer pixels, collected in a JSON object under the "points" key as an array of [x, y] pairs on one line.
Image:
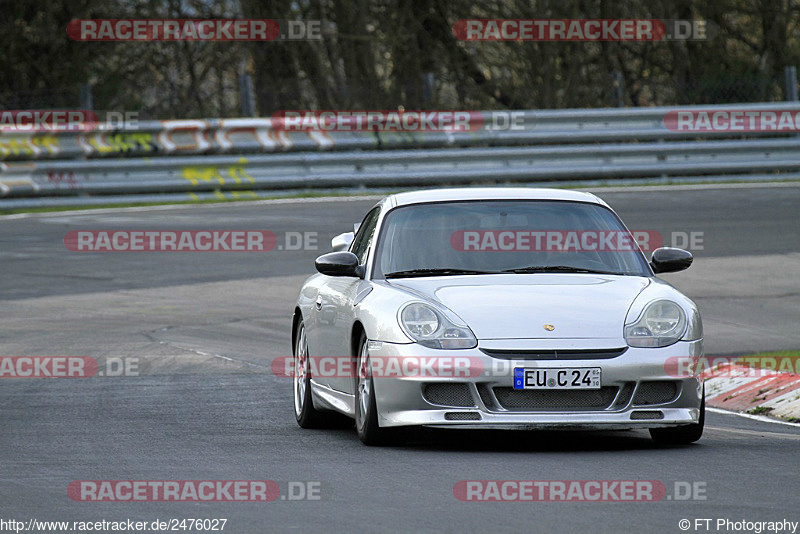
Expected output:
{"points": [[431, 328]]}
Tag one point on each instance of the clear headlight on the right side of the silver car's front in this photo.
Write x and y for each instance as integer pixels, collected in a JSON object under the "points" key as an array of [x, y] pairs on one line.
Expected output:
{"points": [[662, 323]]}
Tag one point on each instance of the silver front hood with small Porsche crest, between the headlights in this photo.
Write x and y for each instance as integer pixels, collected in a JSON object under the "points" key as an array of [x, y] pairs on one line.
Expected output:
{"points": [[518, 306]]}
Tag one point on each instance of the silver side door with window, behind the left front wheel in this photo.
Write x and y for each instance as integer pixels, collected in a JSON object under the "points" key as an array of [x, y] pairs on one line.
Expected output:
{"points": [[335, 312]]}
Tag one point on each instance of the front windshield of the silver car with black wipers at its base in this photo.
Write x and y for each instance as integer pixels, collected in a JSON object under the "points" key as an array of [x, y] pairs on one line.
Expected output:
{"points": [[489, 237]]}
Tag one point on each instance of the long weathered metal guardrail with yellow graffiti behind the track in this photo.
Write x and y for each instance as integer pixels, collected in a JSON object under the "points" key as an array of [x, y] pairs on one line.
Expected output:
{"points": [[255, 154]]}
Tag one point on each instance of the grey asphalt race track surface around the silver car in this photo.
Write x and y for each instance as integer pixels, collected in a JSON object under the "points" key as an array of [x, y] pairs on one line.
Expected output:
{"points": [[201, 403]]}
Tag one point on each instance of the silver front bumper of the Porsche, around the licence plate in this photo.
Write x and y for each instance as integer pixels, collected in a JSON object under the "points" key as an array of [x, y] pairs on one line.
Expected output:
{"points": [[486, 399]]}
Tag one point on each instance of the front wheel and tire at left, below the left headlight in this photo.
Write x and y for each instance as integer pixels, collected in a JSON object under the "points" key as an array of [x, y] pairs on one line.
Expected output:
{"points": [[367, 427]]}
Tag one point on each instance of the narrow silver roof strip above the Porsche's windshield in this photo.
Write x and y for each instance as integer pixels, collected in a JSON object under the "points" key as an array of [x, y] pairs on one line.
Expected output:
{"points": [[490, 193]]}
